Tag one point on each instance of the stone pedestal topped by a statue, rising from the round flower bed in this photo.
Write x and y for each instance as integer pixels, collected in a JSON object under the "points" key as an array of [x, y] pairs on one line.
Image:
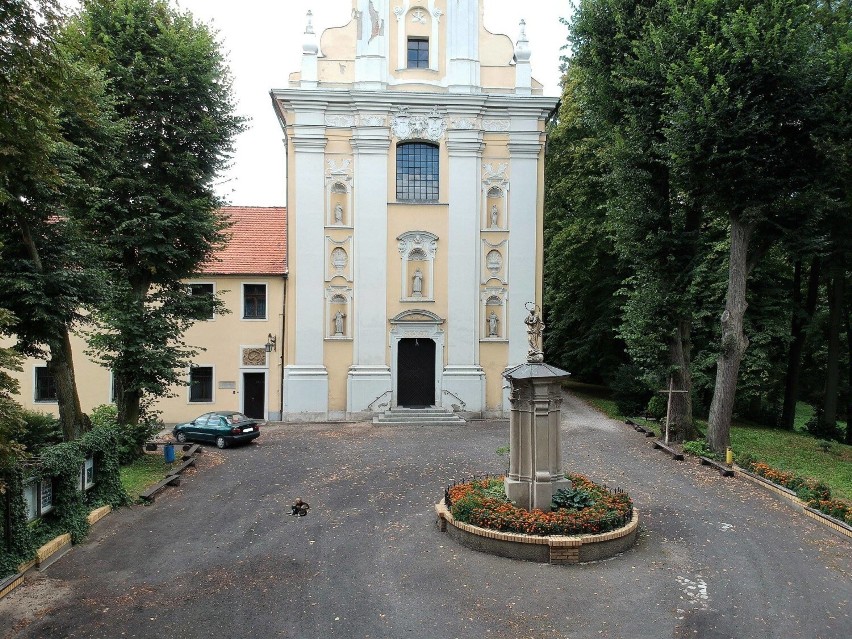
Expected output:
{"points": [[535, 438]]}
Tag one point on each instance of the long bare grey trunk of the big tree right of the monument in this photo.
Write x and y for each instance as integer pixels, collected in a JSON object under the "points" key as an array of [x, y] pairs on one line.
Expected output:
{"points": [[734, 341]]}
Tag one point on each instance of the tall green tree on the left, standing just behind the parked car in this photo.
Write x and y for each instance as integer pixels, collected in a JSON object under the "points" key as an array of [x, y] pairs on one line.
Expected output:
{"points": [[157, 219]]}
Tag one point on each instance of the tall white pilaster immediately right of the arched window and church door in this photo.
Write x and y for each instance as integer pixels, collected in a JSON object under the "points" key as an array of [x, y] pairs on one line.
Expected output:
{"points": [[463, 376]]}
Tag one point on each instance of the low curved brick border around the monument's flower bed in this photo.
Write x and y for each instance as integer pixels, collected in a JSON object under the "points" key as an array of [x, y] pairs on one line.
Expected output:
{"points": [[553, 549]]}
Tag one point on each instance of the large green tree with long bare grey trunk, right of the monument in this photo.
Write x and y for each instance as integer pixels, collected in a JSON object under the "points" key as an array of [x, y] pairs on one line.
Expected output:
{"points": [[739, 137]]}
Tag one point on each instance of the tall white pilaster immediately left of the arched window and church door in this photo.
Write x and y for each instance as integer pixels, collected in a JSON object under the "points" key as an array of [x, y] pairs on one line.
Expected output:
{"points": [[369, 377]]}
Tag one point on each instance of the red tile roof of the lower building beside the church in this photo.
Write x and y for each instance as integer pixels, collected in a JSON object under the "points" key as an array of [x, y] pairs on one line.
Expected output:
{"points": [[257, 244]]}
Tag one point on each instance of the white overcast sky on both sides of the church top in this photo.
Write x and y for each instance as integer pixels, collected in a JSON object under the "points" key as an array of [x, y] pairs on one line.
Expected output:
{"points": [[264, 41]]}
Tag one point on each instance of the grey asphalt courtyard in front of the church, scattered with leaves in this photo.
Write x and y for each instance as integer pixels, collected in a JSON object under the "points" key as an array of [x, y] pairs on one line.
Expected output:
{"points": [[220, 557]]}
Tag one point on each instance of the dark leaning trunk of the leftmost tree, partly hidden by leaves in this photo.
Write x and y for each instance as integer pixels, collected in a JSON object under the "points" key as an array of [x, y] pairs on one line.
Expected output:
{"points": [[61, 364]]}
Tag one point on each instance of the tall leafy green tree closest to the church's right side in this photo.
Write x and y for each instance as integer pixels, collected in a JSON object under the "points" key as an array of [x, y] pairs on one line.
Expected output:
{"points": [[619, 54]]}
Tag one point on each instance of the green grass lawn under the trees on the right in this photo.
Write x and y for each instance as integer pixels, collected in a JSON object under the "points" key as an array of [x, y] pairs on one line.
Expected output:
{"points": [[788, 451]]}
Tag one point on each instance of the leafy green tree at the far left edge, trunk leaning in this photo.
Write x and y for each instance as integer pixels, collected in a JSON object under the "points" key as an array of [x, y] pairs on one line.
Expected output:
{"points": [[53, 135]]}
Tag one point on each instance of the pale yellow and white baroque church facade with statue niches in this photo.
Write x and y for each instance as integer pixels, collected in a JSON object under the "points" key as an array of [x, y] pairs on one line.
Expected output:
{"points": [[415, 172]]}
